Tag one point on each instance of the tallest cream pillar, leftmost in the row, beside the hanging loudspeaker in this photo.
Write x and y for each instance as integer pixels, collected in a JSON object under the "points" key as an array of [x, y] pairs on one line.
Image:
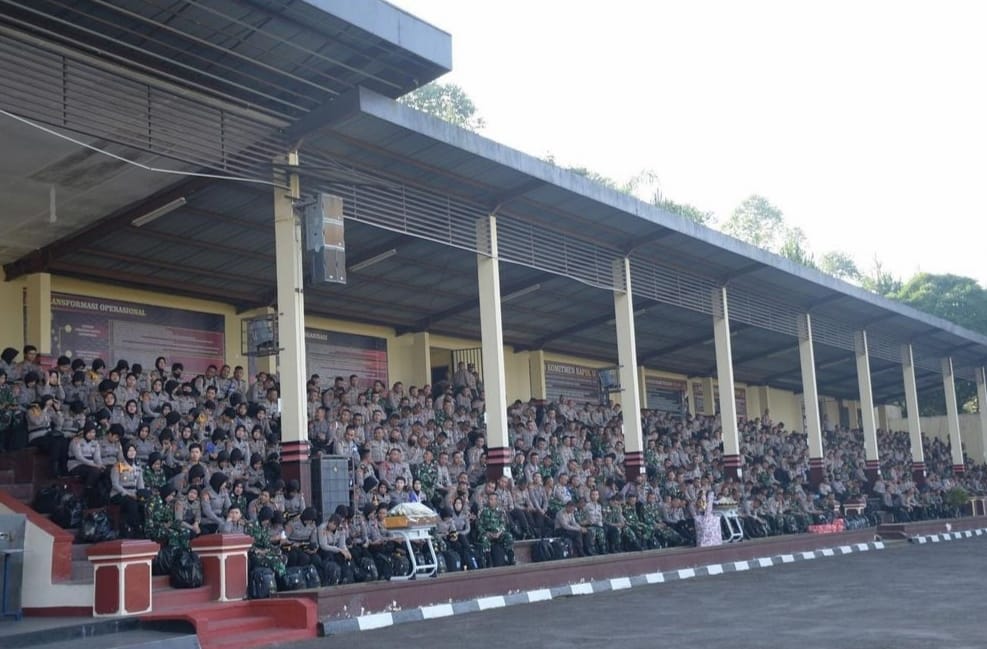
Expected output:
{"points": [[291, 336]]}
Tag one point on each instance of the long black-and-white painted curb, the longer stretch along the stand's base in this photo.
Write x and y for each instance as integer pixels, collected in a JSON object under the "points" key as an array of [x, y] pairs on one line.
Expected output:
{"points": [[336, 626]]}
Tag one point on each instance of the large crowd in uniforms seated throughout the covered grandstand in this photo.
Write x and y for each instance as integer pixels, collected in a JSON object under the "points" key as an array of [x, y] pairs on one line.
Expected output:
{"points": [[186, 455]]}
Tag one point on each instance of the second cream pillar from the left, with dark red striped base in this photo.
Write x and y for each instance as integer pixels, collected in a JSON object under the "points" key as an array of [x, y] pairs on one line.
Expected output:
{"points": [[492, 332]]}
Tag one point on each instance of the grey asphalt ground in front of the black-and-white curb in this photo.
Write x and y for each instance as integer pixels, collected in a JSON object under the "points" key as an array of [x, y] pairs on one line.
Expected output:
{"points": [[903, 597]]}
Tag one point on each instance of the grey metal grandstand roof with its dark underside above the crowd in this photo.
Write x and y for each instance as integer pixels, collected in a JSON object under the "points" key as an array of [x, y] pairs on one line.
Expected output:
{"points": [[297, 62]]}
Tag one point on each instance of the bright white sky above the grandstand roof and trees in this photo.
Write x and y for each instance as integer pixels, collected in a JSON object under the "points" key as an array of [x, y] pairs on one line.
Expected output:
{"points": [[864, 122]]}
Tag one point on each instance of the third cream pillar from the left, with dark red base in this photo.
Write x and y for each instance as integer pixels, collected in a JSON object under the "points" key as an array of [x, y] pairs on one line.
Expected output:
{"points": [[630, 394]]}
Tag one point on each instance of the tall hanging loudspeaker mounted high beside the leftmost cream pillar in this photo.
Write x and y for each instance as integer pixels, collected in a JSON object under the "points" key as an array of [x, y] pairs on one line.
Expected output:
{"points": [[324, 238]]}
